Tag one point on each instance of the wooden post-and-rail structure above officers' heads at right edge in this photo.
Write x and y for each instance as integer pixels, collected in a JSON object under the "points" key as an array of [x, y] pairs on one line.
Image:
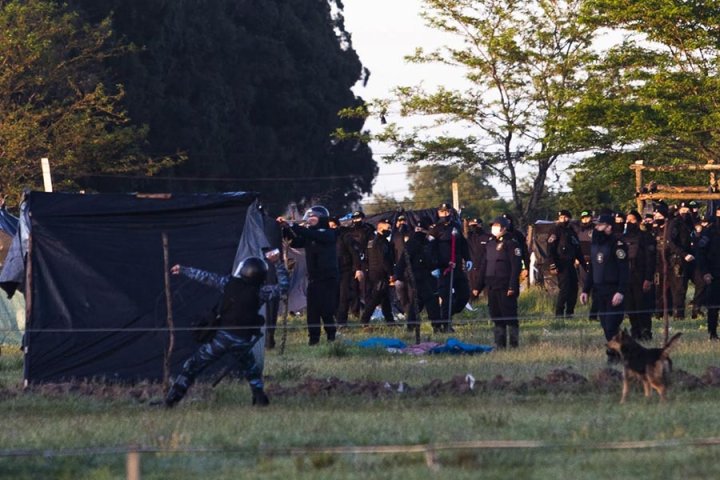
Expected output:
{"points": [[711, 191]]}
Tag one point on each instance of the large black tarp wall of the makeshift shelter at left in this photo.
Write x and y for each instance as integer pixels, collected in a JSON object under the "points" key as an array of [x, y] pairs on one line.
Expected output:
{"points": [[97, 283]]}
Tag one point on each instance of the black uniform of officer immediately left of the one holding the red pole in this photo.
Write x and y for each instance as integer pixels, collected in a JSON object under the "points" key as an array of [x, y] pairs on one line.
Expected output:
{"points": [[418, 253]]}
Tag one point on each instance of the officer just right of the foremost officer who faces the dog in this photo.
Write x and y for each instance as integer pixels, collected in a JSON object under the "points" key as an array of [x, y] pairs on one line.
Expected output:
{"points": [[641, 261]]}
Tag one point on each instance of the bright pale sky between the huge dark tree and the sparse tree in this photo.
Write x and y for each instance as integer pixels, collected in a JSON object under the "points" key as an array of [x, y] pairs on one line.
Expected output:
{"points": [[383, 33]]}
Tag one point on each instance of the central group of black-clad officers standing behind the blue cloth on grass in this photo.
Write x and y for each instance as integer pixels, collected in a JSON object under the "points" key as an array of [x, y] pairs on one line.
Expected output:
{"points": [[430, 266]]}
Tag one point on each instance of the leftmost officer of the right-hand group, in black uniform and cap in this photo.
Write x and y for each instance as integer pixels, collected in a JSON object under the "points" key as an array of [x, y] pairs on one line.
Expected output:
{"points": [[564, 251]]}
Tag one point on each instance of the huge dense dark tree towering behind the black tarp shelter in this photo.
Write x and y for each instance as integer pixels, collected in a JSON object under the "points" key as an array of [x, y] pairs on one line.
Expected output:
{"points": [[250, 91]]}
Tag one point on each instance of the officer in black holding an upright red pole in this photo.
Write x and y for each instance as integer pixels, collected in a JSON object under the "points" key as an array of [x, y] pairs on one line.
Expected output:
{"points": [[443, 232]]}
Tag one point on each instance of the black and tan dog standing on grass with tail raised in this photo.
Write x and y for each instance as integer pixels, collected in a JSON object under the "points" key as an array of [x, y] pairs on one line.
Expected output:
{"points": [[649, 365]]}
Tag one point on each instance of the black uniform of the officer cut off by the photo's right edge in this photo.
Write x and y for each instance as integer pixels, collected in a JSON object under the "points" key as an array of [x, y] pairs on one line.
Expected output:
{"points": [[708, 262]]}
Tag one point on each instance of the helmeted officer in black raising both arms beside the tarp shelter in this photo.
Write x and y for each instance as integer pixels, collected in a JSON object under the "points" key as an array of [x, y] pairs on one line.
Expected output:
{"points": [[320, 246]]}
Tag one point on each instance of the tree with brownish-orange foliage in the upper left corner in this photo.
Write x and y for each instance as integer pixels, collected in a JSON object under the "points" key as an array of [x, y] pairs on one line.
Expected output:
{"points": [[56, 99]]}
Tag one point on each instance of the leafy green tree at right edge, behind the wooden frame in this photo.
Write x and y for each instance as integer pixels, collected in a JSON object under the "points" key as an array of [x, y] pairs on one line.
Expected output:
{"points": [[654, 96]]}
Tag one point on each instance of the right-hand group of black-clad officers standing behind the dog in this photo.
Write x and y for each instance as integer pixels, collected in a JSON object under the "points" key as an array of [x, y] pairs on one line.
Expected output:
{"points": [[633, 264]]}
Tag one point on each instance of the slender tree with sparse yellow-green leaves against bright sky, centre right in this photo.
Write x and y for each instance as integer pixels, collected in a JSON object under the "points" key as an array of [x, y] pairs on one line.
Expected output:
{"points": [[524, 62]]}
